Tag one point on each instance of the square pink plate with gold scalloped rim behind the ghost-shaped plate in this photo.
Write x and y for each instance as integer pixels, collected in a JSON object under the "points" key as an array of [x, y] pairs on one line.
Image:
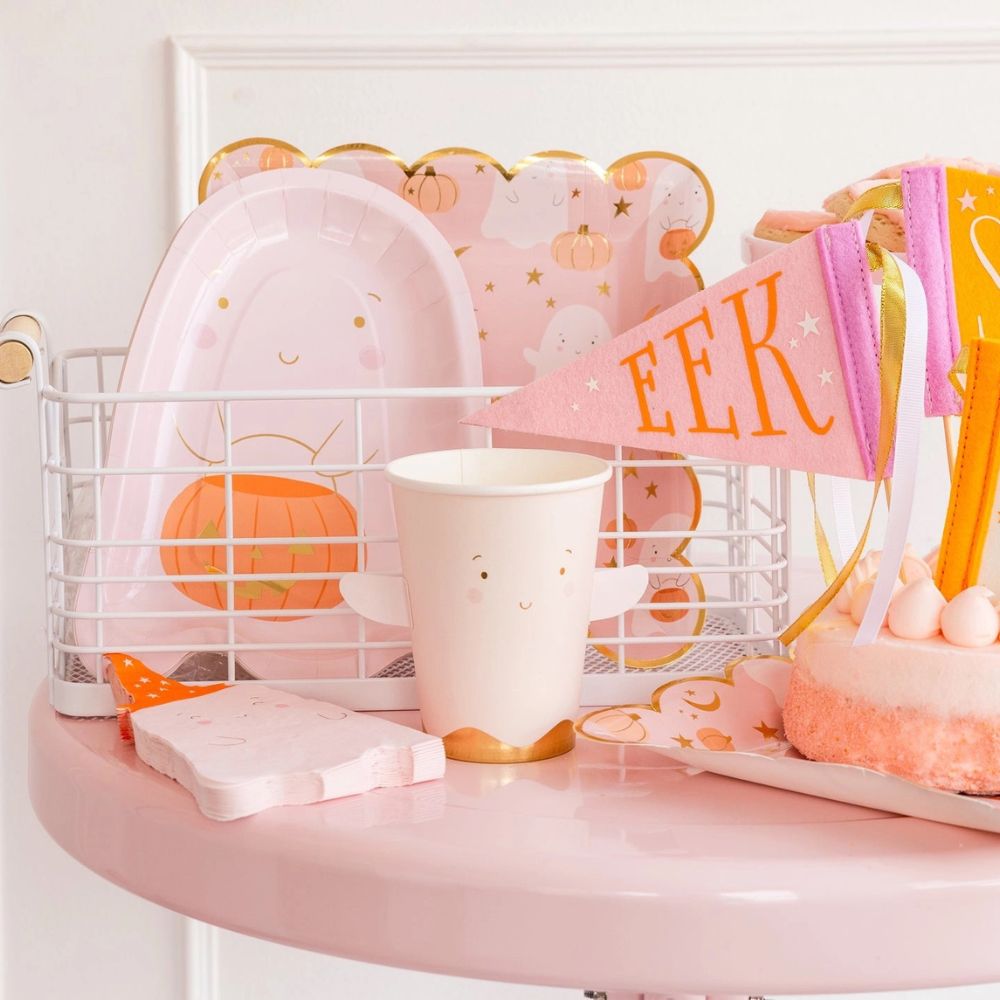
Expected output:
{"points": [[559, 255]]}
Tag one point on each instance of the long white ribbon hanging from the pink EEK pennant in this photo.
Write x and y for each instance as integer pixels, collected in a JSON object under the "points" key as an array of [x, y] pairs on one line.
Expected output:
{"points": [[909, 417]]}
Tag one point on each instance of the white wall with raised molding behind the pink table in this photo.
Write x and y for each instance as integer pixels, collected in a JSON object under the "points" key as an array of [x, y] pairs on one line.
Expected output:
{"points": [[775, 104]]}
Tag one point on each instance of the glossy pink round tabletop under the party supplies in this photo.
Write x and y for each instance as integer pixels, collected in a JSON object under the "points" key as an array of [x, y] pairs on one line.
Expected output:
{"points": [[608, 868]]}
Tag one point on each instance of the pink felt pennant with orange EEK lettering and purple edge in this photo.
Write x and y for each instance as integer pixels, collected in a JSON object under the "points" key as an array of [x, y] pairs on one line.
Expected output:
{"points": [[775, 365]]}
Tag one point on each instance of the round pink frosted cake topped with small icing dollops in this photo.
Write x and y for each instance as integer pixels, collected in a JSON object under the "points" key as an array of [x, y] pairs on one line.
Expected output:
{"points": [[921, 702]]}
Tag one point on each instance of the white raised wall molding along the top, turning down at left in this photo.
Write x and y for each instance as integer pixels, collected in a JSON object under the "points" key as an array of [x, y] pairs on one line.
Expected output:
{"points": [[195, 56]]}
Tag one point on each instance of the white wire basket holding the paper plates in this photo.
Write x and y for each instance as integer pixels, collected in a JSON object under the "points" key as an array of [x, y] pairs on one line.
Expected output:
{"points": [[739, 549]]}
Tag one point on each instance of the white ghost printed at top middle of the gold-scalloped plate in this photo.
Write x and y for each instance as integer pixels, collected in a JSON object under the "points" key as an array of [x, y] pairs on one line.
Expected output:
{"points": [[530, 208]]}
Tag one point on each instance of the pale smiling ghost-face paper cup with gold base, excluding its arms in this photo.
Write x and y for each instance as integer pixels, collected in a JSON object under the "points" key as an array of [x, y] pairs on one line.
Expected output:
{"points": [[498, 547]]}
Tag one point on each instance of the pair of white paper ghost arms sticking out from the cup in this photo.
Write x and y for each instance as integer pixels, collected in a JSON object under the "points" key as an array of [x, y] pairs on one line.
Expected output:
{"points": [[385, 599]]}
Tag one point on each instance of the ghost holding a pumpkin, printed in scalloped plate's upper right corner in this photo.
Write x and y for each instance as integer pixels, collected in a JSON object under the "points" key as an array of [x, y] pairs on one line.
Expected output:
{"points": [[678, 213]]}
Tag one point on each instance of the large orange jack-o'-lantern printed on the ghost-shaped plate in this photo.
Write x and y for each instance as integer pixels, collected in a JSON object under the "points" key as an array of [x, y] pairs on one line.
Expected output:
{"points": [[263, 507]]}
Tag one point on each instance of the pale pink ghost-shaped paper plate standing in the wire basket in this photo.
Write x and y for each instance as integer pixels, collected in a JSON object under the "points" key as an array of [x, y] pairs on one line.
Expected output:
{"points": [[287, 282]]}
